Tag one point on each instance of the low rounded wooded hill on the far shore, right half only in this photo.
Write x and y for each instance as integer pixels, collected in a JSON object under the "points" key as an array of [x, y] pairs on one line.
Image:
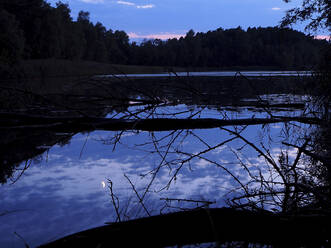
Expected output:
{"points": [[271, 46]]}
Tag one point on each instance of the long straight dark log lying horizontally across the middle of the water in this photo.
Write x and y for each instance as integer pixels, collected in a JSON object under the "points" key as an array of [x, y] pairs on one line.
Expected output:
{"points": [[83, 124]]}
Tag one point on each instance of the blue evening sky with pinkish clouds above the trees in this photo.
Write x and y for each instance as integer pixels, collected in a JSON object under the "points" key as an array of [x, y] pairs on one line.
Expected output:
{"points": [[173, 18]]}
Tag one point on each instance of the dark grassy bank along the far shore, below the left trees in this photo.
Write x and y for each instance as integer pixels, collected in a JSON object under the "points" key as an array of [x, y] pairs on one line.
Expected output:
{"points": [[55, 76]]}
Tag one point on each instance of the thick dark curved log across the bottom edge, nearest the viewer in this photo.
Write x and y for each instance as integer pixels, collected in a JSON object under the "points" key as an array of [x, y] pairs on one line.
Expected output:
{"points": [[205, 225]]}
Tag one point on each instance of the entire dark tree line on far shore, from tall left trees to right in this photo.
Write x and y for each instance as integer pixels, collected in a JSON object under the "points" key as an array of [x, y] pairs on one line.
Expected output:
{"points": [[33, 29]]}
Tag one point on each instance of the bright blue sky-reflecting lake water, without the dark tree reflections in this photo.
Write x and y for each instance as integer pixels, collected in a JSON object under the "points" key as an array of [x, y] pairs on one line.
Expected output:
{"points": [[66, 189]]}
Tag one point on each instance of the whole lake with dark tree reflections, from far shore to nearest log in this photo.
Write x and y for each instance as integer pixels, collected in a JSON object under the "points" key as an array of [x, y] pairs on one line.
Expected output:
{"points": [[61, 180]]}
